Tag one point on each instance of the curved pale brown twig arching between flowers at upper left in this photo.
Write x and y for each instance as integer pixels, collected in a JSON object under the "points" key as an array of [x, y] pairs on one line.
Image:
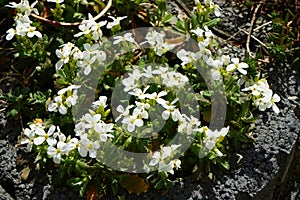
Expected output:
{"points": [[56, 23]]}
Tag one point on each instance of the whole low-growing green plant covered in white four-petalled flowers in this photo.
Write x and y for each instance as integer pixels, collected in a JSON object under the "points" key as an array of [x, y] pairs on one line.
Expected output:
{"points": [[132, 110]]}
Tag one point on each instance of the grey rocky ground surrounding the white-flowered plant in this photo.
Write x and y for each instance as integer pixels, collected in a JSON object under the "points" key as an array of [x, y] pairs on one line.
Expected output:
{"points": [[270, 168]]}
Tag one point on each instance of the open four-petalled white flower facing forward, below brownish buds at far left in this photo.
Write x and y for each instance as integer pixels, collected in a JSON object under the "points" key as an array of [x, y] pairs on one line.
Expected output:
{"points": [[43, 136]]}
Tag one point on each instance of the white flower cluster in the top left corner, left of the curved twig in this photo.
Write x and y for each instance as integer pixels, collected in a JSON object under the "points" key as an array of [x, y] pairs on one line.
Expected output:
{"points": [[23, 23]]}
